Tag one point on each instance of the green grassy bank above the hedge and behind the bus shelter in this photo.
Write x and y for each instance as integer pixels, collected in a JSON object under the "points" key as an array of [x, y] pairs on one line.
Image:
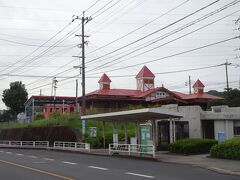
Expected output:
{"points": [[75, 121]]}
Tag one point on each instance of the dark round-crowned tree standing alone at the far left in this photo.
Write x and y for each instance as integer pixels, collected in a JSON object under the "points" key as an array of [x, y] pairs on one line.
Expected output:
{"points": [[15, 97]]}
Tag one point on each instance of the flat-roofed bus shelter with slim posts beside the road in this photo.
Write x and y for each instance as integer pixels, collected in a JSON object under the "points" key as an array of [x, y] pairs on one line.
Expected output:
{"points": [[139, 117]]}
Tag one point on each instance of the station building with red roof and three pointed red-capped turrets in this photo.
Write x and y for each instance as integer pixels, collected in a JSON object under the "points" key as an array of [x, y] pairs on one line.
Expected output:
{"points": [[106, 99]]}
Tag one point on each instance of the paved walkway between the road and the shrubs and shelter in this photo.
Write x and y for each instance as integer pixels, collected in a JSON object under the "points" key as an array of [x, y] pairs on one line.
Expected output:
{"points": [[224, 166]]}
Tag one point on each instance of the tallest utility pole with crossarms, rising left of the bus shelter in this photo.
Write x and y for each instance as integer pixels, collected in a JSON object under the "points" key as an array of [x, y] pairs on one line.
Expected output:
{"points": [[84, 20]]}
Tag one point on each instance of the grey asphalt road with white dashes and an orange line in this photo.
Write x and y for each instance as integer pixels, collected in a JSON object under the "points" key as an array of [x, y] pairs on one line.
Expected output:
{"points": [[23, 164]]}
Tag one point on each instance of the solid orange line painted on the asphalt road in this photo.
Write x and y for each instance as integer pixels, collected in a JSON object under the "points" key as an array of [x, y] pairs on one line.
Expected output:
{"points": [[36, 170]]}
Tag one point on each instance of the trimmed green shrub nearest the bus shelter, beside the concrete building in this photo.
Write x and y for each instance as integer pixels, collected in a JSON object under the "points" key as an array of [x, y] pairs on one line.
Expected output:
{"points": [[192, 146]]}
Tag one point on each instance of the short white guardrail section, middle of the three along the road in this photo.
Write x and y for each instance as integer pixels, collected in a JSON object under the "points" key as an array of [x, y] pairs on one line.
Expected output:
{"points": [[74, 146]]}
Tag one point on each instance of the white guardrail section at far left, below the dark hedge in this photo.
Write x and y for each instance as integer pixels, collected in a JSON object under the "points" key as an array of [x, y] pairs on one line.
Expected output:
{"points": [[25, 144]]}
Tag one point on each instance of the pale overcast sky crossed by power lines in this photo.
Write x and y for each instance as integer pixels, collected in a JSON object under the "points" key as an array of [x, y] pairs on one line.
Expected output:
{"points": [[38, 38]]}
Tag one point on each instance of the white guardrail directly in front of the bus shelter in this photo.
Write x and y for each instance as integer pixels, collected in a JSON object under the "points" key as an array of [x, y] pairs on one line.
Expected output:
{"points": [[132, 149]]}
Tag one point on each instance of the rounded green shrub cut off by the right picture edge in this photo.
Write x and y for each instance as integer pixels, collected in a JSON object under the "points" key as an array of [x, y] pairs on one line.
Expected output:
{"points": [[229, 149]]}
